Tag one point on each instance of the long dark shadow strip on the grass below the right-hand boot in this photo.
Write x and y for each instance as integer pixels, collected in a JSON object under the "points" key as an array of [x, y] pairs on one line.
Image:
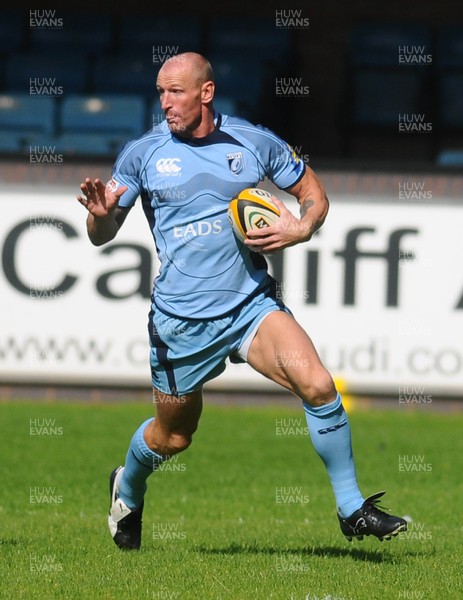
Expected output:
{"points": [[373, 556]]}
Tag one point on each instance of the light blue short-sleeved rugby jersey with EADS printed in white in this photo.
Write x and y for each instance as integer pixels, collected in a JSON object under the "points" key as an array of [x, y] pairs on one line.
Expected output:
{"points": [[185, 187]]}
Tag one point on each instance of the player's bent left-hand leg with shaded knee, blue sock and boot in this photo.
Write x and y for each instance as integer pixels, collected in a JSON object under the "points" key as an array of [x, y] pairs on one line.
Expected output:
{"points": [[154, 442]]}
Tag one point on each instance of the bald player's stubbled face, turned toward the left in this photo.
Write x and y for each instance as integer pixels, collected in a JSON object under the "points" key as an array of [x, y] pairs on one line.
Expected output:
{"points": [[180, 96]]}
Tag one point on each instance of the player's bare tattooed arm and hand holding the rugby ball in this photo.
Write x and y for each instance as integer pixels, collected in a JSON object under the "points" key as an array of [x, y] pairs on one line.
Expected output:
{"points": [[290, 230]]}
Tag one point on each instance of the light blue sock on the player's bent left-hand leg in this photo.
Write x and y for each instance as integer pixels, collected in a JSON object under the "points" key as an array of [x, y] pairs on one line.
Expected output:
{"points": [[140, 462]]}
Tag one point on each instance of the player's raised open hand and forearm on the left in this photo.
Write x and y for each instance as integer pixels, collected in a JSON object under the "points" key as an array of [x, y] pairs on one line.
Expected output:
{"points": [[104, 215]]}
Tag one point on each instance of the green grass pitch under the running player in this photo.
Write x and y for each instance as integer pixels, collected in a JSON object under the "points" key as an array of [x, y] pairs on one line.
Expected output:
{"points": [[246, 513]]}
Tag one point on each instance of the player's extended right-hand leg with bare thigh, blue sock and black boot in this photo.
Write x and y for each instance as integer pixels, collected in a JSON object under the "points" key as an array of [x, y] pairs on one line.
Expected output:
{"points": [[282, 351]]}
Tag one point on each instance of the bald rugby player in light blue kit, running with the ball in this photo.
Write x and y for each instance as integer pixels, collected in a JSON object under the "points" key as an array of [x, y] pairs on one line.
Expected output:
{"points": [[213, 298]]}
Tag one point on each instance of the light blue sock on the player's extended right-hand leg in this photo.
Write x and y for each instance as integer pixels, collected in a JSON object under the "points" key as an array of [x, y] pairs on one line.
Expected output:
{"points": [[330, 433]]}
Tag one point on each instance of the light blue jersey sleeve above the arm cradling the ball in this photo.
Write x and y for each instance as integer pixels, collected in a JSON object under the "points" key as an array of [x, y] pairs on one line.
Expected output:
{"points": [[281, 163]]}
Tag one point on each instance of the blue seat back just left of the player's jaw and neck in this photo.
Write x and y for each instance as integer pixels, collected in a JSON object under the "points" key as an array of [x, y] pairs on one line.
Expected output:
{"points": [[114, 115]]}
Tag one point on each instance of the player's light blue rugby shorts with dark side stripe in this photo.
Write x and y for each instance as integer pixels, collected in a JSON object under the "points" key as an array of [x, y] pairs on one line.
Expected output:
{"points": [[186, 353]]}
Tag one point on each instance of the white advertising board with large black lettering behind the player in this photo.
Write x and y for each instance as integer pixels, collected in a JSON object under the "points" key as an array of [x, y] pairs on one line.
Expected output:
{"points": [[379, 289]]}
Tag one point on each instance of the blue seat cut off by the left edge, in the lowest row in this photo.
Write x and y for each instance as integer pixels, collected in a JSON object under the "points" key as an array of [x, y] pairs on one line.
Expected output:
{"points": [[24, 117]]}
